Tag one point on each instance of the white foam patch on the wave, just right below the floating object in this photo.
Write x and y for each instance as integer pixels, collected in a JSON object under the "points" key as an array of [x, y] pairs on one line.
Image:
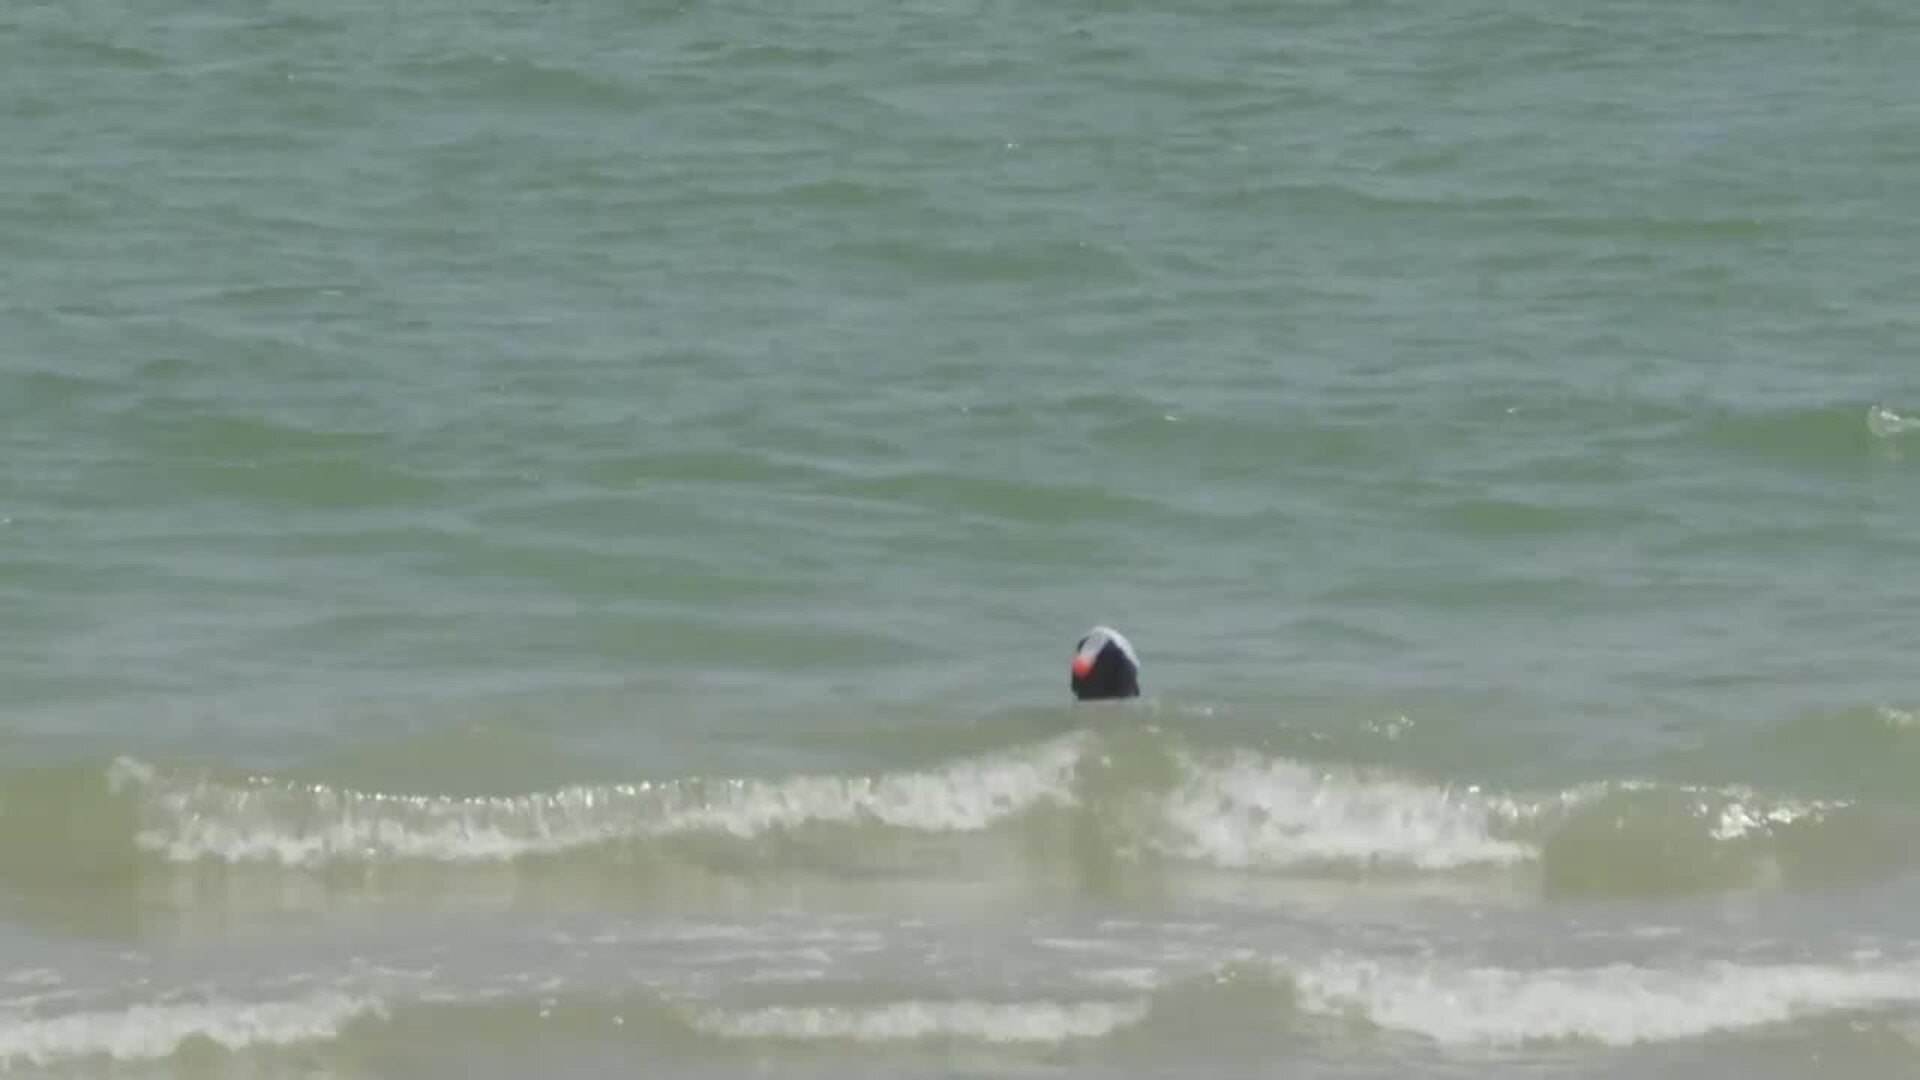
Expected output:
{"points": [[1249, 812]]}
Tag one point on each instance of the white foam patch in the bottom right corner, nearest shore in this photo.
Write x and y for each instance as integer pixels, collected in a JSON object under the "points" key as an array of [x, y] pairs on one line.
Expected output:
{"points": [[1614, 1006]]}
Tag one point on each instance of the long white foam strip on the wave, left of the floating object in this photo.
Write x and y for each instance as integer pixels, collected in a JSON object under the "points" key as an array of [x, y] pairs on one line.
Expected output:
{"points": [[304, 825]]}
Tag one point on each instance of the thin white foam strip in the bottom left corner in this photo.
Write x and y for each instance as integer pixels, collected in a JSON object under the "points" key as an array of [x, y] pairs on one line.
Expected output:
{"points": [[147, 1033]]}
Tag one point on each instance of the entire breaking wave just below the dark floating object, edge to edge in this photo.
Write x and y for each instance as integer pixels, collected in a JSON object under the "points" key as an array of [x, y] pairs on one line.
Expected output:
{"points": [[1084, 810]]}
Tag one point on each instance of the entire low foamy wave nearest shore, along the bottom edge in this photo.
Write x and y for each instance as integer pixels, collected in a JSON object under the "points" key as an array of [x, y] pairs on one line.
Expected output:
{"points": [[1447, 1004]]}
